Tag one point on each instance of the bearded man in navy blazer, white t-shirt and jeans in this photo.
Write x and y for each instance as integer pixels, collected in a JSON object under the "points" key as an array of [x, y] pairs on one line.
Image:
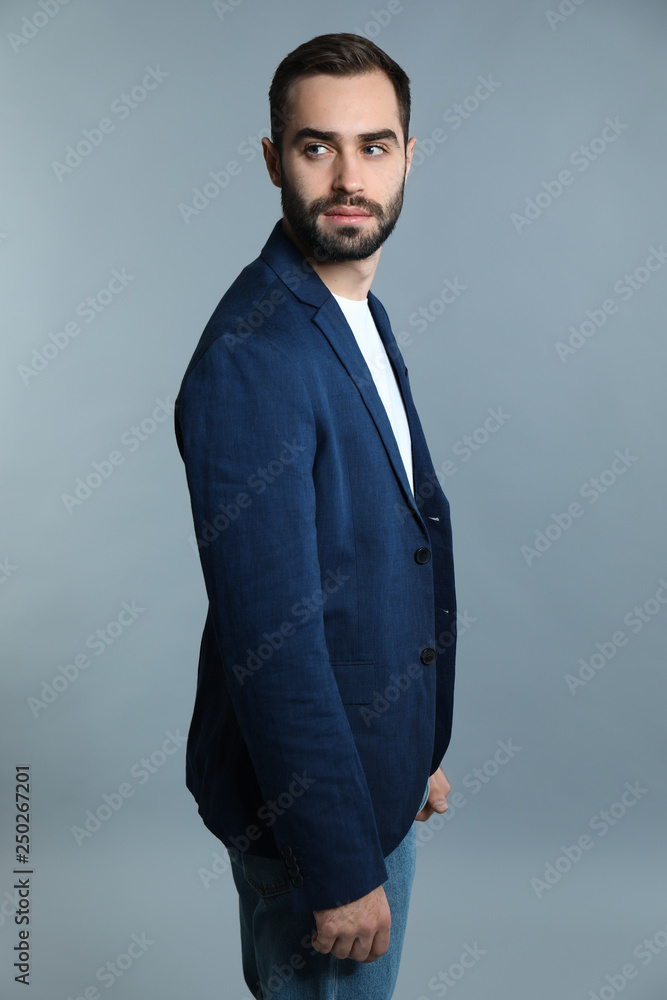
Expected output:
{"points": [[326, 672]]}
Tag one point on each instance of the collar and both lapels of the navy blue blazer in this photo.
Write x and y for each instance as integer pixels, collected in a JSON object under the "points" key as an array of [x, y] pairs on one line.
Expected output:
{"points": [[285, 258]]}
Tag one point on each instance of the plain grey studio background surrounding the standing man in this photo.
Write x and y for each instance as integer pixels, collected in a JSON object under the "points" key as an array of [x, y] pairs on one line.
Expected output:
{"points": [[66, 574]]}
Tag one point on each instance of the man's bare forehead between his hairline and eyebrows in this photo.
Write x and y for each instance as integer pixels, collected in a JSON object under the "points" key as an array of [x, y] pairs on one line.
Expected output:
{"points": [[345, 104]]}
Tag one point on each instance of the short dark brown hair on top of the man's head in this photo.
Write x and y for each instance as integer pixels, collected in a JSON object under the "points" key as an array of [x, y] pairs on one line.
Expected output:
{"points": [[338, 55]]}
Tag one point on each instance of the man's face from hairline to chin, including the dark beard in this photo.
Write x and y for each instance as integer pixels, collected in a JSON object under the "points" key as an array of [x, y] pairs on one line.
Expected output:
{"points": [[343, 150]]}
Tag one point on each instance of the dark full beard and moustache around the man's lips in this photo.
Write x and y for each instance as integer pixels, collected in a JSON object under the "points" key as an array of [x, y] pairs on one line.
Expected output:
{"points": [[347, 241]]}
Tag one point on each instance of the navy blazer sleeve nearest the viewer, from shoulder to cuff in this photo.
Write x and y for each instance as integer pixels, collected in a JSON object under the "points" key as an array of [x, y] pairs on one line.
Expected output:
{"points": [[248, 436]]}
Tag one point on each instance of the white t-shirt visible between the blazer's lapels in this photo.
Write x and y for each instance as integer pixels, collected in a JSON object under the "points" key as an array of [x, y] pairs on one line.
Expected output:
{"points": [[360, 320]]}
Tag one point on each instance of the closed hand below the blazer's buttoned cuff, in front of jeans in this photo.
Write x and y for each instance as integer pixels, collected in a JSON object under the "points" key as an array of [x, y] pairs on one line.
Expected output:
{"points": [[358, 930]]}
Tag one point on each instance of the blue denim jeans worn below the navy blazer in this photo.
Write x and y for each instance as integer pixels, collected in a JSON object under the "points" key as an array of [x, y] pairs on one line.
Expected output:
{"points": [[279, 961]]}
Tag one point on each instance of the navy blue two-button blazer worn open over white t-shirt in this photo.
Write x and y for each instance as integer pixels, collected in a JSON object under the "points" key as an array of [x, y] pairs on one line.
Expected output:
{"points": [[326, 669]]}
